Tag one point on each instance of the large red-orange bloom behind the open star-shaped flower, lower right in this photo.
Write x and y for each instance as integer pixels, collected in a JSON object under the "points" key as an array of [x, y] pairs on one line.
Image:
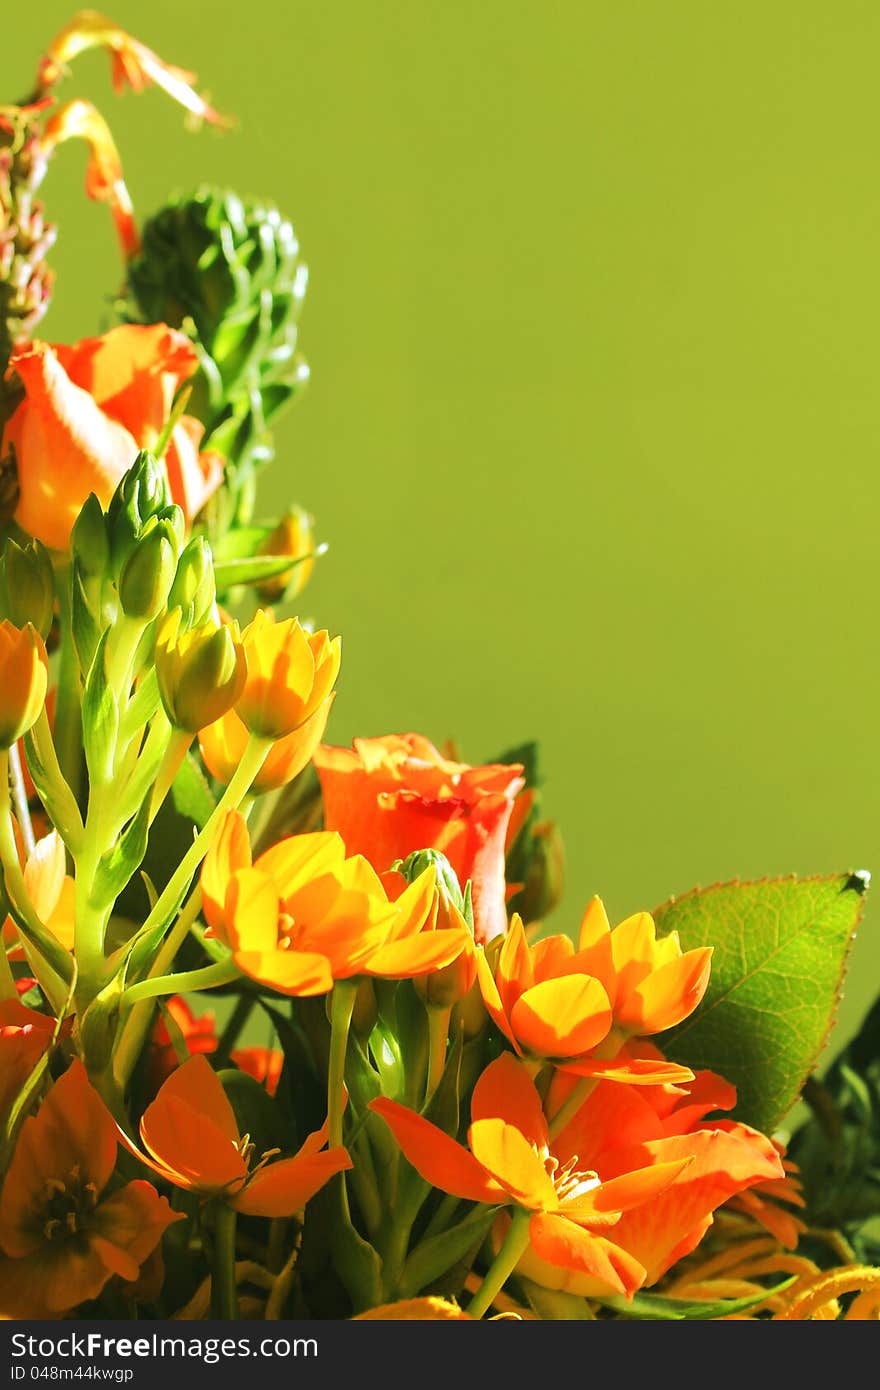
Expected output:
{"points": [[621, 1125]]}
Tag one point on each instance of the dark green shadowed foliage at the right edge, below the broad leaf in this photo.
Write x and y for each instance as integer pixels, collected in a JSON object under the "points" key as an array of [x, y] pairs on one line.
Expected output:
{"points": [[839, 1149]]}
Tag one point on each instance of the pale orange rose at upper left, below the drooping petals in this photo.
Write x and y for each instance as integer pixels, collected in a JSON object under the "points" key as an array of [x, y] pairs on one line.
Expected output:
{"points": [[88, 411]]}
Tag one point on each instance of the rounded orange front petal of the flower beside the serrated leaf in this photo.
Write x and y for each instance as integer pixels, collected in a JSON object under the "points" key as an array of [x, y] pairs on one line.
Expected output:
{"points": [[562, 1018]]}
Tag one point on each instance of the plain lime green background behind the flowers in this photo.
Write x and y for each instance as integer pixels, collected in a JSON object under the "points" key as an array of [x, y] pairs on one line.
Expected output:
{"points": [[593, 425]]}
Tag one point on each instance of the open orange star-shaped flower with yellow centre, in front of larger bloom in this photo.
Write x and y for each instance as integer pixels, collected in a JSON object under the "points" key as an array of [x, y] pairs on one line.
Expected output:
{"points": [[511, 1161]]}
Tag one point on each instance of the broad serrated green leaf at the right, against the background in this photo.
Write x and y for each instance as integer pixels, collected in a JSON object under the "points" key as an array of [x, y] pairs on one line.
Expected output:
{"points": [[781, 954]]}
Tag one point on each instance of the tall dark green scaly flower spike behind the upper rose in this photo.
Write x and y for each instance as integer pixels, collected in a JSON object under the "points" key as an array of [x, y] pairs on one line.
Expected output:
{"points": [[229, 273]]}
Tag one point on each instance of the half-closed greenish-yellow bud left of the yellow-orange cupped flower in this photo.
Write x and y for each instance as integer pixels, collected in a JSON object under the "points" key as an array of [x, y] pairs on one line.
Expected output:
{"points": [[201, 672]]}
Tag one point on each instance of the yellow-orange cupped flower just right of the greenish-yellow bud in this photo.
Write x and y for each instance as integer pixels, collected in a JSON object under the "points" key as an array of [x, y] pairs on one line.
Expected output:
{"points": [[290, 675]]}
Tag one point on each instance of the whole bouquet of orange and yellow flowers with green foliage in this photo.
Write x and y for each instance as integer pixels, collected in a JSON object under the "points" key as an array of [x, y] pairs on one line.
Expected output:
{"points": [[459, 1115]]}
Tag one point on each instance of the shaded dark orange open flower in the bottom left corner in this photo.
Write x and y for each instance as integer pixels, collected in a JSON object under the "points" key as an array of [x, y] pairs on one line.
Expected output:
{"points": [[60, 1238]]}
